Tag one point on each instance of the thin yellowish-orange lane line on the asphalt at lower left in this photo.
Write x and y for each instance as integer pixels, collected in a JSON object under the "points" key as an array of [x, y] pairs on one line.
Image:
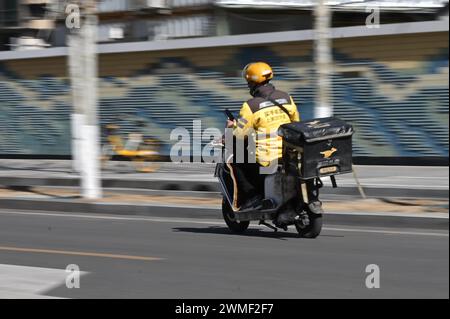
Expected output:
{"points": [[77, 253]]}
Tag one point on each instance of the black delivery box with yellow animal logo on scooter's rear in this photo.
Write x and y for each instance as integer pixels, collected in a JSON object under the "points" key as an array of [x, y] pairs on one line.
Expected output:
{"points": [[325, 145]]}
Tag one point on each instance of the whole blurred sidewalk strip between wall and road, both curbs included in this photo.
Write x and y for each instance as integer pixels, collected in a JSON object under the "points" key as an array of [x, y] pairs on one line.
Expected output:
{"points": [[398, 196]]}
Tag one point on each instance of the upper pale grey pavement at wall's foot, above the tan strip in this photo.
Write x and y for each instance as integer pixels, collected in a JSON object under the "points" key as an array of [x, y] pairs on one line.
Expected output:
{"points": [[377, 181]]}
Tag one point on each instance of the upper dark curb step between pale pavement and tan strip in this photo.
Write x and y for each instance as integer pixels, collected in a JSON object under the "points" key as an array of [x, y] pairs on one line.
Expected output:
{"points": [[213, 186]]}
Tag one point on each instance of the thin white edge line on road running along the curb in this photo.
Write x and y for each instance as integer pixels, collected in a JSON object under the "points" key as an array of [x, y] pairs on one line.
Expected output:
{"points": [[215, 222]]}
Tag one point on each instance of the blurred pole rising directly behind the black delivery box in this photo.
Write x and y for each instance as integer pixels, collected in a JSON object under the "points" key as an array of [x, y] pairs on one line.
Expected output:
{"points": [[323, 61]]}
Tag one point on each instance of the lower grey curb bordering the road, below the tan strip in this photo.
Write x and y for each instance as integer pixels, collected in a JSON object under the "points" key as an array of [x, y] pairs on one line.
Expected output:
{"points": [[154, 210]]}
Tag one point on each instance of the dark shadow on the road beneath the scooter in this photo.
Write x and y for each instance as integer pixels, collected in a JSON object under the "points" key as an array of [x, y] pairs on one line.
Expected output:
{"points": [[282, 235]]}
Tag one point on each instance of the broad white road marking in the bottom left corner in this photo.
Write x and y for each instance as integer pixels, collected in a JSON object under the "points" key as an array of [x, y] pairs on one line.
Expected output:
{"points": [[22, 282]]}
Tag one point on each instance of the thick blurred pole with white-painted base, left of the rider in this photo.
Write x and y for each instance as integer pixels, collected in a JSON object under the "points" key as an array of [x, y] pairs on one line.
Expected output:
{"points": [[85, 132]]}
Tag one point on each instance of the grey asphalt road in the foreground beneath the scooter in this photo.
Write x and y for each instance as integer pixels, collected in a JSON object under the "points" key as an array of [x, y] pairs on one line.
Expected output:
{"points": [[139, 257]]}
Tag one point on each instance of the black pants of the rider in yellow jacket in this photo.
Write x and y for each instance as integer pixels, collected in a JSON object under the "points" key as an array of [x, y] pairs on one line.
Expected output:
{"points": [[250, 182]]}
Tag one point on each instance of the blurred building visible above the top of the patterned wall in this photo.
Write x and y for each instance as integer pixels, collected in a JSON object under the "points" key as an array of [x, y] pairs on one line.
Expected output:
{"points": [[37, 23]]}
